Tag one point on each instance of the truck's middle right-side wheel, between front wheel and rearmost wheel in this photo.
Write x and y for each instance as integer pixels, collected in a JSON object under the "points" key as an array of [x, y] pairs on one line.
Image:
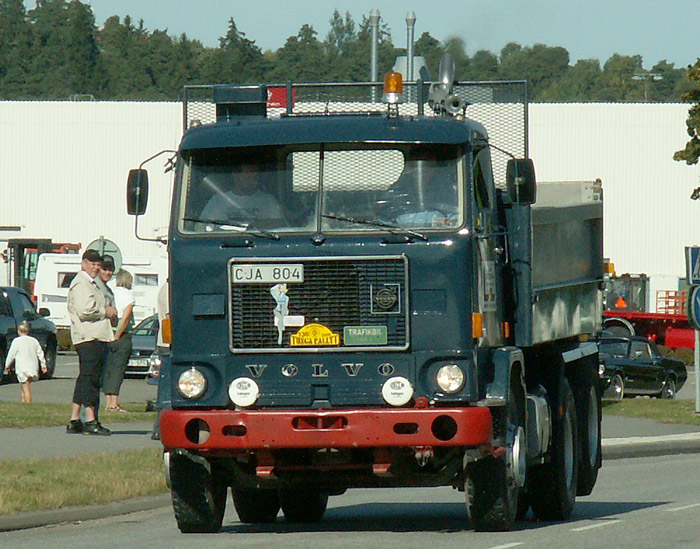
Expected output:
{"points": [[552, 486]]}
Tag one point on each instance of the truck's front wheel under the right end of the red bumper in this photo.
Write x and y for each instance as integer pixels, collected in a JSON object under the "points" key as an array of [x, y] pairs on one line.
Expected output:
{"points": [[492, 485]]}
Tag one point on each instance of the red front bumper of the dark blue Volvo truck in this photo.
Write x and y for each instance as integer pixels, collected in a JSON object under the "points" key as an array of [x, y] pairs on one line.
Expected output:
{"points": [[223, 431]]}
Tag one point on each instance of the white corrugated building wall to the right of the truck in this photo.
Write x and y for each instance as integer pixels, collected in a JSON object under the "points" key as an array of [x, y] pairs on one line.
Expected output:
{"points": [[649, 217]]}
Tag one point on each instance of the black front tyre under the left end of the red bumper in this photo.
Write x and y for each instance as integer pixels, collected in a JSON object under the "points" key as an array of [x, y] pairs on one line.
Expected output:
{"points": [[199, 499]]}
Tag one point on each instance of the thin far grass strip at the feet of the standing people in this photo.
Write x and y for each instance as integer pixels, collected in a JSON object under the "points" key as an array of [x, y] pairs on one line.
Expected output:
{"points": [[44, 414]]}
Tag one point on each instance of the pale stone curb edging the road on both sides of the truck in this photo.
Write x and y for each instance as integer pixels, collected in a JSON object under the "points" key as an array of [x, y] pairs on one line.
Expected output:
{"points": [[613, 448]]}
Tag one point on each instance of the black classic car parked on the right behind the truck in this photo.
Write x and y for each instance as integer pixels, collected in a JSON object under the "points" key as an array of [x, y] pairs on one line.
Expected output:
{"points": [[633, 365]]}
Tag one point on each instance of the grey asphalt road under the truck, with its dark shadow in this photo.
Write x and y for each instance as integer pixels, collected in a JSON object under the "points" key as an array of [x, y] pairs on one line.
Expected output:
{"points": [[641, 503]]}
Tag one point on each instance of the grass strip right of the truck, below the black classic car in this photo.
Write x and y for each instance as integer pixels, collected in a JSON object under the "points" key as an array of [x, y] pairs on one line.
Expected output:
{"points": [[663, 411]]}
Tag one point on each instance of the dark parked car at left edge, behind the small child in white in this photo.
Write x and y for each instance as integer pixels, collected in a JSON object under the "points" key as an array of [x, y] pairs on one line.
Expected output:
{"points": [[16, 307]]}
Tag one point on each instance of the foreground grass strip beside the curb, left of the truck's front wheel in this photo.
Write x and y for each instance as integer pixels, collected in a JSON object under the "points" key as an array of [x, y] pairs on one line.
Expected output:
{"points": [[53, 483]]}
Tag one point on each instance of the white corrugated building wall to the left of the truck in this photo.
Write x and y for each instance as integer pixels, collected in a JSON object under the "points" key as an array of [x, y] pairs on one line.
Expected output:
{"points": [[64, 168]]}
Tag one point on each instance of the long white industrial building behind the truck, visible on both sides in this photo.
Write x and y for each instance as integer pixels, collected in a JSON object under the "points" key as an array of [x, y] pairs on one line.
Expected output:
{"points": [[65, 166]]}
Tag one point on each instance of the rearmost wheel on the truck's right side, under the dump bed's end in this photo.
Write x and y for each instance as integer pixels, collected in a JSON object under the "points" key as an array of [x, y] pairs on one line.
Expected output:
{"points": [[588, 413]]}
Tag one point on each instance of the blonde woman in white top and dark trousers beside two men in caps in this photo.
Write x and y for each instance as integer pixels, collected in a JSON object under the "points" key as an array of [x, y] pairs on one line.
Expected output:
{"points": [[120, 349]]}
